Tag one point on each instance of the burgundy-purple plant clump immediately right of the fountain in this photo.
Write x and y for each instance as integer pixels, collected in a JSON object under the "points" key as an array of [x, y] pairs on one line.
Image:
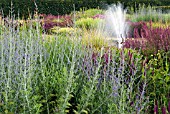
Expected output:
{"points": [[147, 38]]}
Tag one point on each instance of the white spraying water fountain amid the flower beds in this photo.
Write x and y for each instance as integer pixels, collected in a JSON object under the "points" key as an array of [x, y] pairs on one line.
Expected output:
{"points": [[115, 26]]}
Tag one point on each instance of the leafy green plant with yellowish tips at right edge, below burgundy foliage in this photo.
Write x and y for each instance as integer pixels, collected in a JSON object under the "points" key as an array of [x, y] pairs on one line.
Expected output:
{"points": [[159, 80]]}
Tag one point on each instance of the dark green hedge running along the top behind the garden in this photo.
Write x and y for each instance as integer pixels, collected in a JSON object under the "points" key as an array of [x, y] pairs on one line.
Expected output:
{"points": [[26, 7]]}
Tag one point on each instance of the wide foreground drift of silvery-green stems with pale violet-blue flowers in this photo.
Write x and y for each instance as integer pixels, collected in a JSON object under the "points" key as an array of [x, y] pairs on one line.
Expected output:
{"points": [[44, 77]]}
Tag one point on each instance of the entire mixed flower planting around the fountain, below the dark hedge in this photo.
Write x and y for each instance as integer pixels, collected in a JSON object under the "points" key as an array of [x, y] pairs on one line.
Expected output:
{"points": [[63, 64]]}
